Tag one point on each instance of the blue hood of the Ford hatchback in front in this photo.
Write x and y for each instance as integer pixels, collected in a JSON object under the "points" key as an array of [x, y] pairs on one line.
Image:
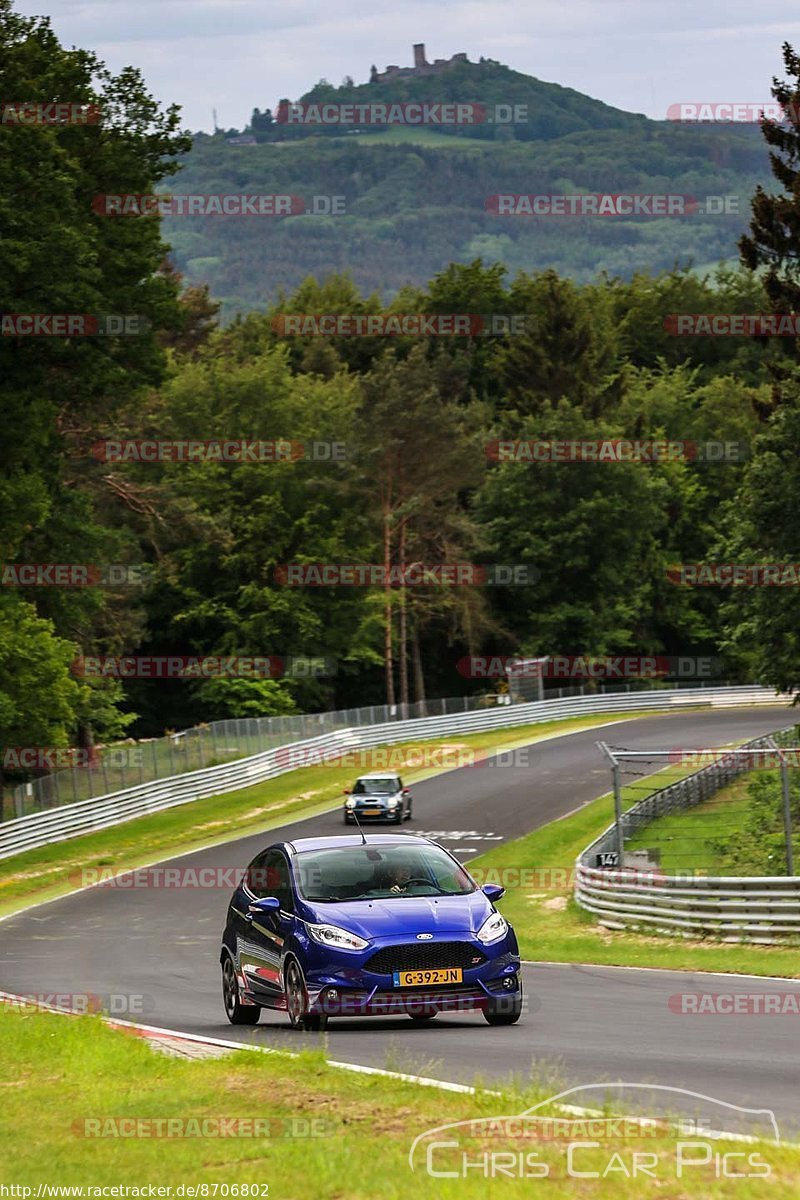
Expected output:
{"points": [[406, 916]]}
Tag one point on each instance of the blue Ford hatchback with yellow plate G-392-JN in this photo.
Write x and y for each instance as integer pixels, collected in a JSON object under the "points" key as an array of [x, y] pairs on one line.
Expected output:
{"points": [[366, 927]]}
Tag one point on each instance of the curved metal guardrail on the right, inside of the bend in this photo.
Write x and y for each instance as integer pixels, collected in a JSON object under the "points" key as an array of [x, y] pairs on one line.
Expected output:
{"points": [[737, 909]]}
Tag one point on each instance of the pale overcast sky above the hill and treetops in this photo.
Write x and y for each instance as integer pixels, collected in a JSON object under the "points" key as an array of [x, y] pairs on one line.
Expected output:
{"points": [[234, 56]]}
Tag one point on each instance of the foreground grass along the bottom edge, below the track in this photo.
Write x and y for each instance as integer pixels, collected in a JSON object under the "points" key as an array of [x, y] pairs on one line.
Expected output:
{"points": [[323, 1135]]}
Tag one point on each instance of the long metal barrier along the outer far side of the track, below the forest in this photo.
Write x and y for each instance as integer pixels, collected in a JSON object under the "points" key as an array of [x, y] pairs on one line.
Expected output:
{"points": [[73, 820]]}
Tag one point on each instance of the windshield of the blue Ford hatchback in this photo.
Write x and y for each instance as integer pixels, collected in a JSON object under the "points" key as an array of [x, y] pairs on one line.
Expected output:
{"points": [[372, 873]]}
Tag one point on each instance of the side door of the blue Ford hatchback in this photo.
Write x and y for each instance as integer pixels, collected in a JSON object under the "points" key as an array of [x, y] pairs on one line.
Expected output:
{"points": [[262, 951]]}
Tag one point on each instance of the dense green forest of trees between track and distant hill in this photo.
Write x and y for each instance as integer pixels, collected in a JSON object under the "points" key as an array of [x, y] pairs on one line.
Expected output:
{"points": [[417, 485]]}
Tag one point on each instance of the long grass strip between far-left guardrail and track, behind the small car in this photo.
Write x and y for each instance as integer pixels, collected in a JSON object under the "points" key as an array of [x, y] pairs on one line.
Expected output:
{"points": [[53, 871]]}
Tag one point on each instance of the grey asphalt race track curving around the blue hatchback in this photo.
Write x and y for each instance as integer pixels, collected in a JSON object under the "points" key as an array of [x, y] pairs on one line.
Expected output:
{"points": [[592, 1024]]}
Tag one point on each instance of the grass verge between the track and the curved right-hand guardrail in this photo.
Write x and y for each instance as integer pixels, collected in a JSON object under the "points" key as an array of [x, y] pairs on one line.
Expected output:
{"points": [[538, 873]]}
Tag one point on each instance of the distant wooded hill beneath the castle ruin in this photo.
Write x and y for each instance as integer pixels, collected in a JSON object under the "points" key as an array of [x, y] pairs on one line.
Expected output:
{"points": [[419, 199]]}
